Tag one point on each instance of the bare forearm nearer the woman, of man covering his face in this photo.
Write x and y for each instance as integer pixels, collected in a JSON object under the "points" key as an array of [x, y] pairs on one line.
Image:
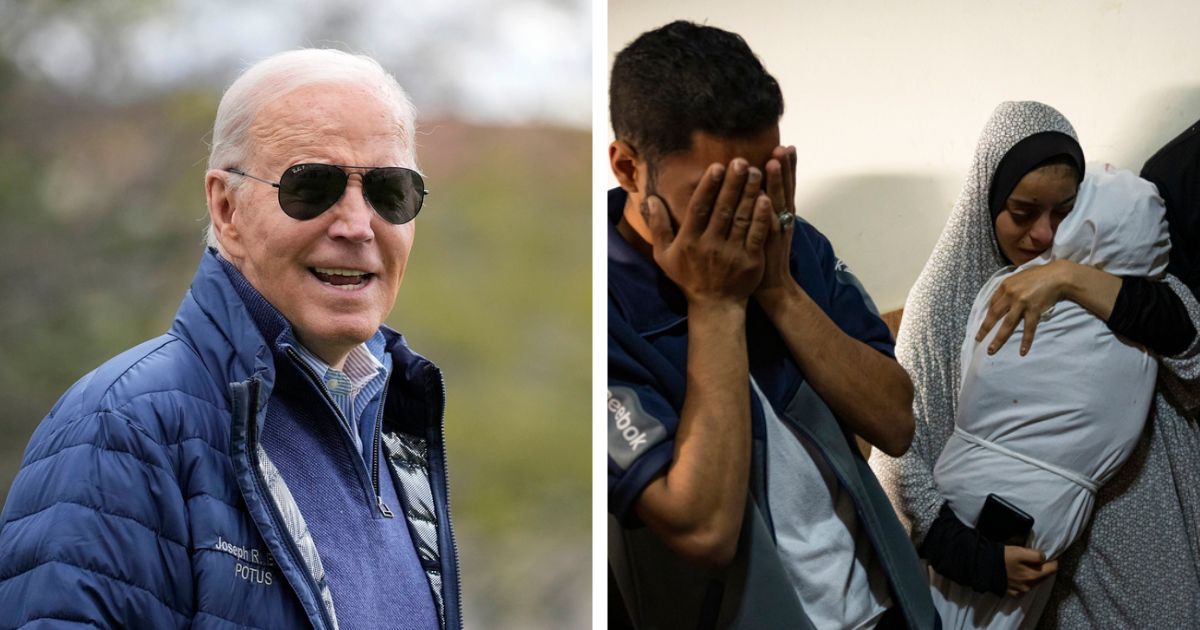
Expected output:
{"points": [[868, 392]]}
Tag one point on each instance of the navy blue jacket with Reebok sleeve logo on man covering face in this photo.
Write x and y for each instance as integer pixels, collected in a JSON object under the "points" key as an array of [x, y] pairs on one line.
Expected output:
{"points": [[647, 379]]}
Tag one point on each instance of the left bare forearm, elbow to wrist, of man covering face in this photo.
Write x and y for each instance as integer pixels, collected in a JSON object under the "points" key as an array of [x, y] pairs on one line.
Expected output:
{"points": [[698, 506]]}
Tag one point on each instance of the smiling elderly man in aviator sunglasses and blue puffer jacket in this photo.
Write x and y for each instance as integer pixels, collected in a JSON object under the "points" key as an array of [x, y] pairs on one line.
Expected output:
{"points": [[277, 459]]}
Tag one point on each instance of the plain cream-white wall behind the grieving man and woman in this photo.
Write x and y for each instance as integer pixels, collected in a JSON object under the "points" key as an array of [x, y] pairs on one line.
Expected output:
{"points": [[885, 101]]}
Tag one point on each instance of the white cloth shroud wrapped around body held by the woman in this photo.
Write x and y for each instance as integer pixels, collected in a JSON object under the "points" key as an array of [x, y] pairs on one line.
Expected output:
{"points": [[1045, 431]]}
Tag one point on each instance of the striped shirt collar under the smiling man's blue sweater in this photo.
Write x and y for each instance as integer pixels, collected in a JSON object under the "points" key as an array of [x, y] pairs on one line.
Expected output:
{"points": [[353, 388]]}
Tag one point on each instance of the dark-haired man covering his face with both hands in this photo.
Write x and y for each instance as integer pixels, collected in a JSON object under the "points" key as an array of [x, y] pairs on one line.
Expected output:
{"points": [[743, 358]]}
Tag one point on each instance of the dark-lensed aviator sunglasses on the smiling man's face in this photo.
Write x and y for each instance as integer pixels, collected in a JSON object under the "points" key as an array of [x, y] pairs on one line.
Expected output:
{"points": [[307, 191]]}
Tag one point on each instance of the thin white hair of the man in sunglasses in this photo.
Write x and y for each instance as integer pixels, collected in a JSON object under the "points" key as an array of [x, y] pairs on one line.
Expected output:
{"points": [[285, 73]]}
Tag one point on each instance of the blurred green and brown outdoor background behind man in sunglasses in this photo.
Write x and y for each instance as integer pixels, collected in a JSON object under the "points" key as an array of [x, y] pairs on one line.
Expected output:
{"points": [[105, 111]]}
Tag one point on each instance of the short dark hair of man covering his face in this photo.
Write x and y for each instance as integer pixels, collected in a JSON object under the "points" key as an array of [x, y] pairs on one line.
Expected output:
{"points": [[688, 77]]}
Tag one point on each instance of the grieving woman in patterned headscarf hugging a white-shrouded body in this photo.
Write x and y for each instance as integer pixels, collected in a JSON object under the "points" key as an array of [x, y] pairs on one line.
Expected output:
{"points": [[1147, 568]]}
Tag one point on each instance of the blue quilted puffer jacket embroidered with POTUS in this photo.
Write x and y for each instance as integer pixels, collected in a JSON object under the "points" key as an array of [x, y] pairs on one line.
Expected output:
{"points": [[146, 500]]}
